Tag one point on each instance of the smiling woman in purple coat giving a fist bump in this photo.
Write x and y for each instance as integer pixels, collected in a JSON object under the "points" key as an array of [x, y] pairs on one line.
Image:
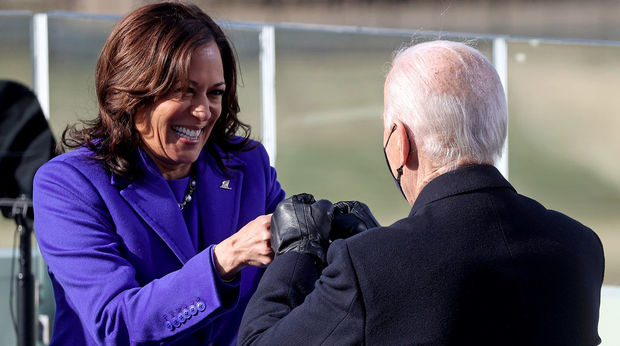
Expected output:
{"points": [[128, 221]]}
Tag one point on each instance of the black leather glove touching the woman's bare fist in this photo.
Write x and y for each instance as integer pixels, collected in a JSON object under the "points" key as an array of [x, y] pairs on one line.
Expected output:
{"points": [[302, 224]]}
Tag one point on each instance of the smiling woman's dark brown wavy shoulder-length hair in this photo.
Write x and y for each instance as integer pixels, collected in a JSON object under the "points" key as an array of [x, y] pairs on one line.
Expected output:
{"points": [[147, 54]]}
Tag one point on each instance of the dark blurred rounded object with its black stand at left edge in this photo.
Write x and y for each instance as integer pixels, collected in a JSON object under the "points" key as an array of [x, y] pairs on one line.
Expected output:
{"points": [[26, 143]]}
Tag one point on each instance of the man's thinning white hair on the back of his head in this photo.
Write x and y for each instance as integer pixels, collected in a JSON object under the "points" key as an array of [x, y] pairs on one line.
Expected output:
{"points": [[451, 98]]}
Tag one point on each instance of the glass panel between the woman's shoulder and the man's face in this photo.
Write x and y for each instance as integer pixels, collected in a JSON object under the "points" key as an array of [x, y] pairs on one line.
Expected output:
{"points": [[329, 104]]}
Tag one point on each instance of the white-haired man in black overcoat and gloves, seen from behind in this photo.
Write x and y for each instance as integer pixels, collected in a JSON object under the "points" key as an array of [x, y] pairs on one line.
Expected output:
{"points": [[474, 263]]}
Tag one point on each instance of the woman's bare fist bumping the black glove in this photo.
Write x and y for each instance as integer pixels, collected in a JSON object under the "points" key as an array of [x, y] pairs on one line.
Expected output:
{"points": [[249, 246]]}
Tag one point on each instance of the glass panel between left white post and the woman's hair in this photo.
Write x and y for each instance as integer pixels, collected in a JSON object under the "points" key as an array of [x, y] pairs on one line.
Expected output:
{"points": [[74, 46]]}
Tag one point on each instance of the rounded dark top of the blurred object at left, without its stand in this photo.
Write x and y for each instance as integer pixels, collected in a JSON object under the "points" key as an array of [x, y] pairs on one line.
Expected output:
{"points": [[26, 141]]}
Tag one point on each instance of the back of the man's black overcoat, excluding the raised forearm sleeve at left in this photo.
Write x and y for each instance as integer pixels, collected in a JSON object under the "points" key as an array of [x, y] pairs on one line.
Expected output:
{"points": [[476, 263]]}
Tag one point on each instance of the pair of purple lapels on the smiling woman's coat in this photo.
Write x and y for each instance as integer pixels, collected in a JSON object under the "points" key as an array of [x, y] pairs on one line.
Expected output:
{"points": [[152, 199]]}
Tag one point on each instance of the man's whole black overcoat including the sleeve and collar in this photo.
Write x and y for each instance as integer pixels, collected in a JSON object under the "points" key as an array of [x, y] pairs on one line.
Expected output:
{"points": [[474, 263]]}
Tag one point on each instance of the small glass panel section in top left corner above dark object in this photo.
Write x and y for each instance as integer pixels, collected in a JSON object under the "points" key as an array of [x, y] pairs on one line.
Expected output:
{"points": [[15, 32]]}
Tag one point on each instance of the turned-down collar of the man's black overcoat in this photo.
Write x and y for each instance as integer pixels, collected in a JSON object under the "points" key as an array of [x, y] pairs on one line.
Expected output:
{"points": [[461, 180]]}
